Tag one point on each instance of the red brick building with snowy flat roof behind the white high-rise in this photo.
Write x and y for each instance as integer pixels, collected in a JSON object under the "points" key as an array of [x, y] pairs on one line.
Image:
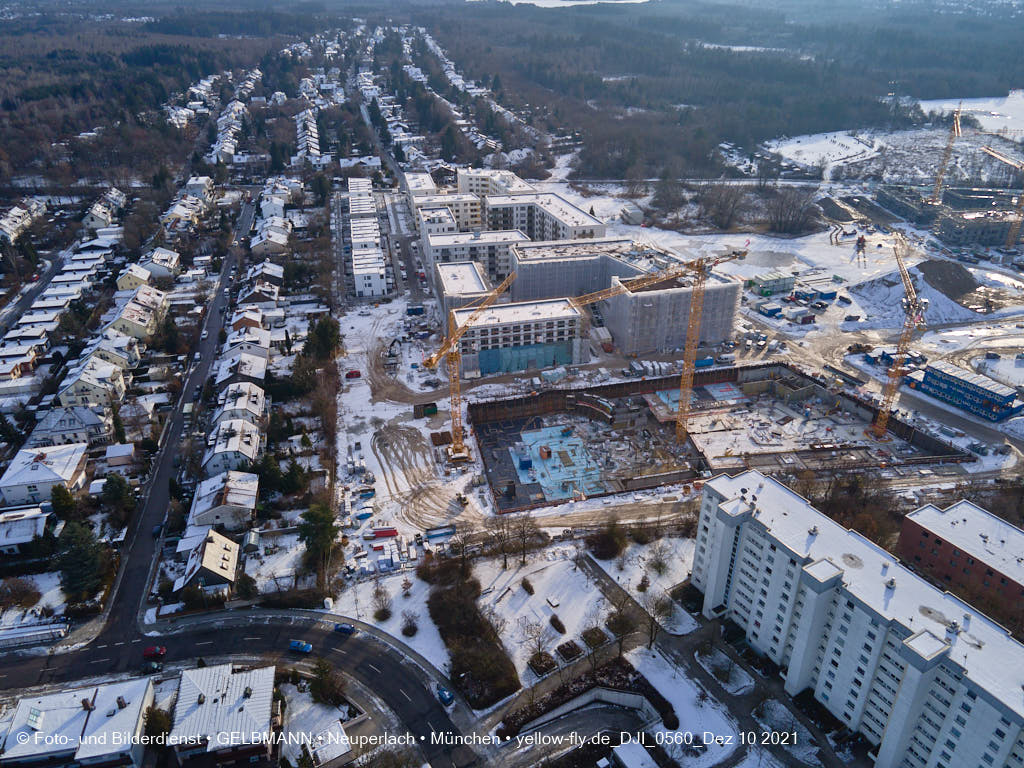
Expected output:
{"points": [[965, 548]]}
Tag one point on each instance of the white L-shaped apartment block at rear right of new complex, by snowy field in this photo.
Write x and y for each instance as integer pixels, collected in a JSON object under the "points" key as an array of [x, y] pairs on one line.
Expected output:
{"points": [[543, 217]]}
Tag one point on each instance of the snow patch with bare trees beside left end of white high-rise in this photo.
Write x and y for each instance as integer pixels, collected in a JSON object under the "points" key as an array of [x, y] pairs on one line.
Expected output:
{"points": [[636, 563]]}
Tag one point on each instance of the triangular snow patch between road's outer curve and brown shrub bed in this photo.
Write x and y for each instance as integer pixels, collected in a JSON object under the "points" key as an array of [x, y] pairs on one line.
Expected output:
{"points": [[357, 602]]}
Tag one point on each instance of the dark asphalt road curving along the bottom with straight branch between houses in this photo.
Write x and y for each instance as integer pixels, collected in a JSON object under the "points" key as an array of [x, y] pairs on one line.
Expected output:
{"points": [[119, 645]]}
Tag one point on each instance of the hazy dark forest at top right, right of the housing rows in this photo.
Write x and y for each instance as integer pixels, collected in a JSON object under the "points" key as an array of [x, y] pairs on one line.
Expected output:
{"points": [[660, 86]]}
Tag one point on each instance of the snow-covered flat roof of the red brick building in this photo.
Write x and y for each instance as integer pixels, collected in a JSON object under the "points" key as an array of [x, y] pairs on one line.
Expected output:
{"points": [[978, 533]]}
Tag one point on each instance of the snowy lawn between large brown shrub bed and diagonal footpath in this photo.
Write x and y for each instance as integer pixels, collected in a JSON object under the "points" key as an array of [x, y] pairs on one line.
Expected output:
{"points": [[560, 589]]}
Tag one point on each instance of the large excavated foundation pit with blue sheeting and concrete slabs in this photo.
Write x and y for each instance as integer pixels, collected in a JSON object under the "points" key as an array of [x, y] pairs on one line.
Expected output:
{"points": [[569, 444]]}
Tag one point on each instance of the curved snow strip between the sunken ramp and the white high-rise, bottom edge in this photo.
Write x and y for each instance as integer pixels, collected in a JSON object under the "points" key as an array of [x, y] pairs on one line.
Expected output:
{"points": [[696, 716]]}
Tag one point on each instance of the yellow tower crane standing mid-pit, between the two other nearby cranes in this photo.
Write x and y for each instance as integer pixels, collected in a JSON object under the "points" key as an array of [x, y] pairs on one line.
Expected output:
{"points": [[699, 270]]}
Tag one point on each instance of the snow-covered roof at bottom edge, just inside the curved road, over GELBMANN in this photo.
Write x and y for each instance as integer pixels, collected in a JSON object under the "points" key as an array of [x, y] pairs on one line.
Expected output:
{"points": [[220, 700]]}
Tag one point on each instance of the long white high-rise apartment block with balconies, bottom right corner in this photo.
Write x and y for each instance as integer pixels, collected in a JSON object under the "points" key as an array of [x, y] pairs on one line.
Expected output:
{"points": [[928, 680]]}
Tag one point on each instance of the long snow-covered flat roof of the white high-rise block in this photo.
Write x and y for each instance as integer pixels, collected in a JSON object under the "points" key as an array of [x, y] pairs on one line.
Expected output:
{"points": [[987, 652]]}
